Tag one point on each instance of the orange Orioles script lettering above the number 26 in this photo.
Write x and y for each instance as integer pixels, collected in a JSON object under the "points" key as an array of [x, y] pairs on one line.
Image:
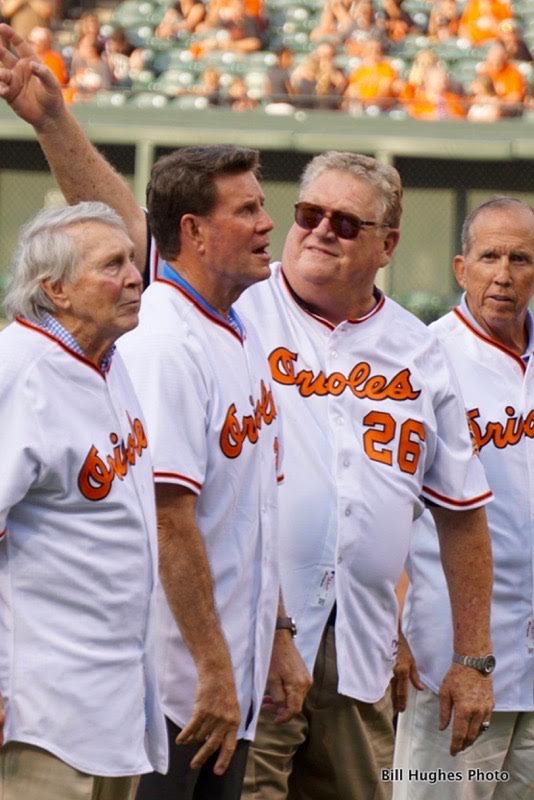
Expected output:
{"points": [[359, 381]]}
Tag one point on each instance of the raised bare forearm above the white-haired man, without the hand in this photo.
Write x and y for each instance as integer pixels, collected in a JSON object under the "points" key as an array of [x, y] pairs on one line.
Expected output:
{"points": [[83, 174]]}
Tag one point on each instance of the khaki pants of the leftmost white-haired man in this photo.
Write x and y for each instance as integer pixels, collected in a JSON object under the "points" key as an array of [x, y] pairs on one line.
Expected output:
{"points": [[30, 773]]}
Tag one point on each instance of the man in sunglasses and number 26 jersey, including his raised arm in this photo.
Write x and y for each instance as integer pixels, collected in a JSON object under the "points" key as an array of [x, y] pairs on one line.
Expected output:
{"points": [[375, 430]]}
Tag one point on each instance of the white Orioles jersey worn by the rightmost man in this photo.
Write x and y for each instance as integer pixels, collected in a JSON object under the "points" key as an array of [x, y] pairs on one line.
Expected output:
{"points": [[498, 390]]}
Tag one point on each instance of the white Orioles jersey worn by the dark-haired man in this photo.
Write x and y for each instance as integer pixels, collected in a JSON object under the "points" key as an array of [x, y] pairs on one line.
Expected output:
{"points": [[207, 396]]}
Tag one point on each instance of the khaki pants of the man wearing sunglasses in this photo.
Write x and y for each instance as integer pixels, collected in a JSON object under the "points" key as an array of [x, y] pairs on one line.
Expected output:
{"points": [[334, 750]]}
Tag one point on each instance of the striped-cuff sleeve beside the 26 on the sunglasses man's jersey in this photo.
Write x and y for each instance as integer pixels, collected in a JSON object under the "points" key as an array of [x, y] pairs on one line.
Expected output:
{"points": [[455, 478]]}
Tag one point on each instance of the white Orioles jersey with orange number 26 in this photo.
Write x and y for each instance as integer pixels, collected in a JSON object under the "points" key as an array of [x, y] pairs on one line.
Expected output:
{"points": [[372, 422]]}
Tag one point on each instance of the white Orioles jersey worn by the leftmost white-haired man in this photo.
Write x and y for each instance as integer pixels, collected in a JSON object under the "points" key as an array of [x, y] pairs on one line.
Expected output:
{"points": [[78, 560]]}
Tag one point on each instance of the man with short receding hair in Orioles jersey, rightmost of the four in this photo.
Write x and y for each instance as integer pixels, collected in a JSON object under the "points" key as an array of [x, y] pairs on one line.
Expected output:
{"points": [[490, 339]]}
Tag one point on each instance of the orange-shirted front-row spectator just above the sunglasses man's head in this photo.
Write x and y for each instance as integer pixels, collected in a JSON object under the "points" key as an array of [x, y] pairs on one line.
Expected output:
{"points": [[374, 82]]}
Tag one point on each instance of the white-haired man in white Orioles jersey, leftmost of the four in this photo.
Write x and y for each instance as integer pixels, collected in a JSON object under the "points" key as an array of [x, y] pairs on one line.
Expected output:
{"points": [[78, 552]]}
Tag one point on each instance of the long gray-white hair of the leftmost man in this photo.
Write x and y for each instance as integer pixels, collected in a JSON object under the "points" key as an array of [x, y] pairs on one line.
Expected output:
{"points": [[46, 251]]}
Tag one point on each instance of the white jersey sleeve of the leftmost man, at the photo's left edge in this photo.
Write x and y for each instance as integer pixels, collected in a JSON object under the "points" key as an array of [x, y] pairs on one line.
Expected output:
{"points": [[21, 465]]}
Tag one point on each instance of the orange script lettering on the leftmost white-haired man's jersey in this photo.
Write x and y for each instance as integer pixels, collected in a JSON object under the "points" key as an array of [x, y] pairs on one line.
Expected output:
{"points": [[98, 473]]}
